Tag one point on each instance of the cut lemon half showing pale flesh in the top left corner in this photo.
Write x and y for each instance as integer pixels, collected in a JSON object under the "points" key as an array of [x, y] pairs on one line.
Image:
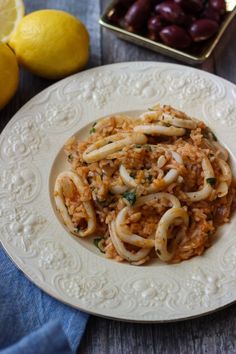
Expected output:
{"points": [[11, 12]]}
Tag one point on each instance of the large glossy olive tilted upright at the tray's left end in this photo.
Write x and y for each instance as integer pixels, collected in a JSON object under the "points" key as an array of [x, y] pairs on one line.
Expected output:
{"points": [[137, 15]]}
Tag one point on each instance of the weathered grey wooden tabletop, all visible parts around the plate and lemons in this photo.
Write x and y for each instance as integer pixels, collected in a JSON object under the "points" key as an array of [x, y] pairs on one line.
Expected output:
{"points": [[215, 333]]}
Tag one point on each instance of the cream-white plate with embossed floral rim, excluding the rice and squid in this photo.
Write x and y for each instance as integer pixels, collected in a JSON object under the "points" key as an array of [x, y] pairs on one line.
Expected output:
{"points": [[72, 270]]}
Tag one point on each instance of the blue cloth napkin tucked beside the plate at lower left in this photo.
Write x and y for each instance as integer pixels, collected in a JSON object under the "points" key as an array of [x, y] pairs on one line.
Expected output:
{"points": [[31, 322]]}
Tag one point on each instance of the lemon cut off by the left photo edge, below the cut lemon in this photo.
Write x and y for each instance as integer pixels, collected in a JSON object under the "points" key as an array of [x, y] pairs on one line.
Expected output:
{"points": [[9, 74]]}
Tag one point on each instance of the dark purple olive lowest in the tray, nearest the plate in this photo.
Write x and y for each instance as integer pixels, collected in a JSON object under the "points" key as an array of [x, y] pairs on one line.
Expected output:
{"points": [[175, 36]]}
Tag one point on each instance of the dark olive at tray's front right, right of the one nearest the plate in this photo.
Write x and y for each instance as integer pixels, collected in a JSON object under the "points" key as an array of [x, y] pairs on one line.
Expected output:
{"points": [[203, 29]]}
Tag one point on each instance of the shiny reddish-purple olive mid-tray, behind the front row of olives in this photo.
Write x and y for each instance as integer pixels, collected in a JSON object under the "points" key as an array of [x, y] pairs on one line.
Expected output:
{"points": [[171, 12]]}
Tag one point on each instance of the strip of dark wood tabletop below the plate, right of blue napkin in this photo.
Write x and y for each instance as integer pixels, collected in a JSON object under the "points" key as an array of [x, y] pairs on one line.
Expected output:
{"points": [[212, 334]]}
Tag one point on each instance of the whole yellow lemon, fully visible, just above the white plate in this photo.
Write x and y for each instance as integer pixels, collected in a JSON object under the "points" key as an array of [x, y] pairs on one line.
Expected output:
{"points": [[51, 43]]}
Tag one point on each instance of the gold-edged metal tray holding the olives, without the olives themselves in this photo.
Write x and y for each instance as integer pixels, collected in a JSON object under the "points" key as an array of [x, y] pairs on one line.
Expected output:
{"points": [[197, 53]]}
